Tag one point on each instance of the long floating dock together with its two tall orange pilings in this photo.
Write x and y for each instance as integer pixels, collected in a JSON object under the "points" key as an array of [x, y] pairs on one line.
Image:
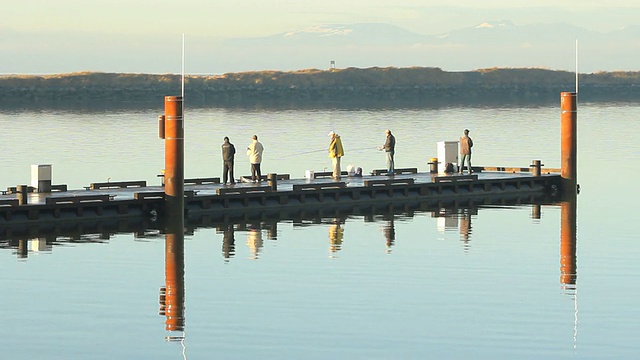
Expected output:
{"points": [[25, 212]]}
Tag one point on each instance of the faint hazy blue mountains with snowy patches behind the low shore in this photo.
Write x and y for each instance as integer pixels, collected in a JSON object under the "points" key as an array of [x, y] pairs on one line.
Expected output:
{"points": [[486, 45]]}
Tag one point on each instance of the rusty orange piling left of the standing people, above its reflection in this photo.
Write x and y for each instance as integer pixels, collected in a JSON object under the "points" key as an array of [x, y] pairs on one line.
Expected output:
{"points": [[174, 155]]}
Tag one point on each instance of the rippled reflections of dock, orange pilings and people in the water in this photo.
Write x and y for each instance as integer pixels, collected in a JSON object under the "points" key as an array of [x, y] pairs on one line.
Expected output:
{"points": [[448, 218]]}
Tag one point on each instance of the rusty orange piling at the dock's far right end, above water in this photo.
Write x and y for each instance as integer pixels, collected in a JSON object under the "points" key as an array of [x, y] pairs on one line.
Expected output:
{"points": [[569, 129]]}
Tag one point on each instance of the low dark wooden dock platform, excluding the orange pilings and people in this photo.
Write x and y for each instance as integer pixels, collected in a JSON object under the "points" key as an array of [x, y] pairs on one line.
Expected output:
{"points": [[132, 199]]}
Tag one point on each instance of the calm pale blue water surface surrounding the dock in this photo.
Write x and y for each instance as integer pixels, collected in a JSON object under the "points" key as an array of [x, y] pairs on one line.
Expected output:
{"points": [[481, 283]]}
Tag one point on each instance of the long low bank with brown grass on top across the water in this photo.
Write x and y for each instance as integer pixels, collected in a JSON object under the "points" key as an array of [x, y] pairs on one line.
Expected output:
{"points": [[313, 88]]}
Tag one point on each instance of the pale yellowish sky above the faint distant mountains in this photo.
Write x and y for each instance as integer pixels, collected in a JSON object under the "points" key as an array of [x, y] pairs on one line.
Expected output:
{"points": [[38, 36]]}
